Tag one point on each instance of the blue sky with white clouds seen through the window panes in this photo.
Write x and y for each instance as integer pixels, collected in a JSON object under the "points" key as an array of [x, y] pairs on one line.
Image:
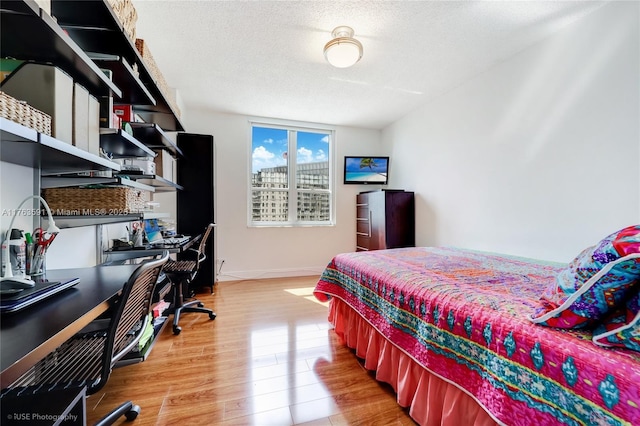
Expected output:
{"points": [[269, 148]]}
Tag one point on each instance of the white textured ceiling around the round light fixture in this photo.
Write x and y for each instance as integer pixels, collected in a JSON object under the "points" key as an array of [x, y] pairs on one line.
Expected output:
{"points": [[264, 58]]}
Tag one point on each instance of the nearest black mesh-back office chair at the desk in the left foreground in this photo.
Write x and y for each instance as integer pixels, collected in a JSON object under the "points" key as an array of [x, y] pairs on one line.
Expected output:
{"points": [[88, 358]]}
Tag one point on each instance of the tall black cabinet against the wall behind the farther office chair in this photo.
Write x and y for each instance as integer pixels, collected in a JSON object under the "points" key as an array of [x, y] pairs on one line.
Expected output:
{"points": [[195, 203]]}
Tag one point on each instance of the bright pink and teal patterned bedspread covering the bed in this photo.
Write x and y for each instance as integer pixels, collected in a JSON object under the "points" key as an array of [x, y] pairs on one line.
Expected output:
{"points": [[463, 315]]}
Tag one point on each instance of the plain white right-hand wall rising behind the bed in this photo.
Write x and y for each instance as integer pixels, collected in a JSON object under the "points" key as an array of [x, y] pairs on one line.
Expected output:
{"points": [[538, 156]]}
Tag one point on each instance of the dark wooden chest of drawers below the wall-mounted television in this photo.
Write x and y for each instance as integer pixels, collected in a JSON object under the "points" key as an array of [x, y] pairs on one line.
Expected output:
{"points": [[385, 219]]}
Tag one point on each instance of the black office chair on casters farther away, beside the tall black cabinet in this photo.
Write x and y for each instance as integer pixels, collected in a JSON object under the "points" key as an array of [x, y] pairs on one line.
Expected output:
{"points": [[181, 273]]}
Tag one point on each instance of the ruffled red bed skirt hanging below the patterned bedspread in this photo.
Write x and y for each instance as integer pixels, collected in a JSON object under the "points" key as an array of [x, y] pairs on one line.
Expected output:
{"points": [[432, 400]]}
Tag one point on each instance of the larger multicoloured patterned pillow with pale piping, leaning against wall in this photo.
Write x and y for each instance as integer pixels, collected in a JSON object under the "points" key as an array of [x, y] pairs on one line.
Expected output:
{"points": [[595, 282]]}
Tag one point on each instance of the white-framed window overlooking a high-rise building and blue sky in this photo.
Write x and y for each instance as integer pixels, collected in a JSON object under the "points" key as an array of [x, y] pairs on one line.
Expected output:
{"points": [[275, 186]]}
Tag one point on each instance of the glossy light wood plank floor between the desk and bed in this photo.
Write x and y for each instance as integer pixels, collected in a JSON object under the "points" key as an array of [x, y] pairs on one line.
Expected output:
{"points": [[270, 358]]}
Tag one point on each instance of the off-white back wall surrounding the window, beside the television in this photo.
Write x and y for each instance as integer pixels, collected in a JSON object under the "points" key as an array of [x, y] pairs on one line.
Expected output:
{"points": [[274, 252]]}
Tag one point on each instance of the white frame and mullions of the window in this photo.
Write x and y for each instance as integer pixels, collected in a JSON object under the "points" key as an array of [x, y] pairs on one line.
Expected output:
{"points": [[292, 190]]}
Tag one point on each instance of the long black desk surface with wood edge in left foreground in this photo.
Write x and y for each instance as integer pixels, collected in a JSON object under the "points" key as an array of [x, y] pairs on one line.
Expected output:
{"points": [[30, 334]]}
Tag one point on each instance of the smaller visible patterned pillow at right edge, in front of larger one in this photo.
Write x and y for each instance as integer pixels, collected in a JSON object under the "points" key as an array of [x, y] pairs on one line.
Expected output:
{"points": [[622, 329]]}
